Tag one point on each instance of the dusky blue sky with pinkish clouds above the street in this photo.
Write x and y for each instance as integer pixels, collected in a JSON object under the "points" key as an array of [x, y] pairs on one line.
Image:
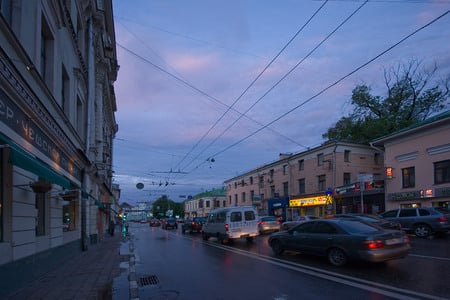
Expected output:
{"points": [[208, 90]]}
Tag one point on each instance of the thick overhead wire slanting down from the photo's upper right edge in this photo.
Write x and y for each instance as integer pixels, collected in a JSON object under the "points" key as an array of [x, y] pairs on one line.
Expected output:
{"points": [[330, 85]]}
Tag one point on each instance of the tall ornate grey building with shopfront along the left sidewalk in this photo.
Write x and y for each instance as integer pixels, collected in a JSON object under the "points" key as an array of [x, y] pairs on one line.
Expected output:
{"points": [[57, 123]]}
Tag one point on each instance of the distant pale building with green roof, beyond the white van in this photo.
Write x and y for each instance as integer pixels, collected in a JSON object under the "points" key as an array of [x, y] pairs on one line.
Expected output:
{"points": [[201, 204]]}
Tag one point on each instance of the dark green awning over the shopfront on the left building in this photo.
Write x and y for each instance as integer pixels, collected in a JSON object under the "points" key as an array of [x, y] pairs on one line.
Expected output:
{"points": [[24, 160]]}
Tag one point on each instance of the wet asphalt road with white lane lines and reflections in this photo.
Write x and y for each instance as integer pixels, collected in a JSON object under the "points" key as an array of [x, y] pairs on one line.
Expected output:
{"points": [[170, 265]]}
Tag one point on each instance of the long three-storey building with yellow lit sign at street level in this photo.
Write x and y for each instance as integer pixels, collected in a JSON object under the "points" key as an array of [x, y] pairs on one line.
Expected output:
{"points": [[319, 181]]}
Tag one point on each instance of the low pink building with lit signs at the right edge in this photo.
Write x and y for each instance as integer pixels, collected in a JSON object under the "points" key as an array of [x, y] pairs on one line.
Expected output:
{"points": [[417, 162]]}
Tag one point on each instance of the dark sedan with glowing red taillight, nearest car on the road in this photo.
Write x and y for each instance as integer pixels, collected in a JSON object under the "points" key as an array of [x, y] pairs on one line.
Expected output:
{"points": [[341, 240]]}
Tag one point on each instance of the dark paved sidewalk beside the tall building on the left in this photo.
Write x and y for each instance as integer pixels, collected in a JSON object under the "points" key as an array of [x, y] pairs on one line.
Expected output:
{"points": [[88, 275]]}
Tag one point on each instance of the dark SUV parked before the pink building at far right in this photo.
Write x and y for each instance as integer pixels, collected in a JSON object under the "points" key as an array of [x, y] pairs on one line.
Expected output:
{"points": [[422, 221]]}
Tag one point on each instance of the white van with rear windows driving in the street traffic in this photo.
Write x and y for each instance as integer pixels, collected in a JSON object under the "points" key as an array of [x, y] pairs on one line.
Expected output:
{"points": [[229, 223]]}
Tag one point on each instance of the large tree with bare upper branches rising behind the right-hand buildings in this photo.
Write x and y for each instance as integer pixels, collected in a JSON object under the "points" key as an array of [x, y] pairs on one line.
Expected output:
{"points": [[411, 97]]}
